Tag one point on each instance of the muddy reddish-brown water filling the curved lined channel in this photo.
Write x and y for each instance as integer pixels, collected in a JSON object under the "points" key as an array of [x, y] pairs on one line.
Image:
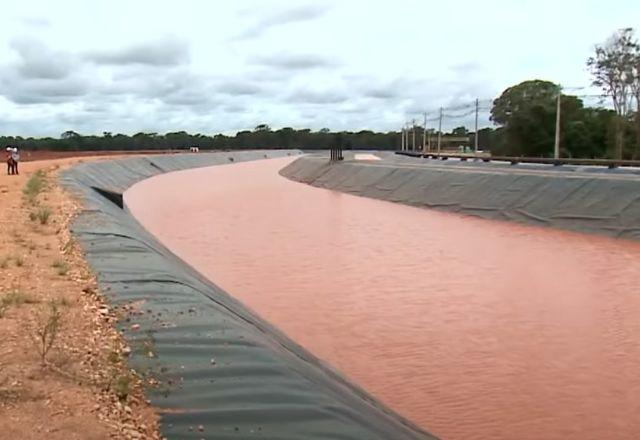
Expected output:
{"points": [[470, 328]]}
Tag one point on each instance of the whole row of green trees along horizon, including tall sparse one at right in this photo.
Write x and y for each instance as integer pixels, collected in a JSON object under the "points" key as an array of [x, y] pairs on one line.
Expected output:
{"points": [[524, 116]]}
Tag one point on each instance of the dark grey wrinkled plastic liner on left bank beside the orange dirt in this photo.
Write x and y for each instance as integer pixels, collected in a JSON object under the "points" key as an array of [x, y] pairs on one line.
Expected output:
{"points": [[222, 371]]}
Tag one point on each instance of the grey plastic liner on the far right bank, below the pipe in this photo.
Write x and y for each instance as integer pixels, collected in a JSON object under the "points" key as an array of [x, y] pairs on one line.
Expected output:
{"points": [[581, 199]]}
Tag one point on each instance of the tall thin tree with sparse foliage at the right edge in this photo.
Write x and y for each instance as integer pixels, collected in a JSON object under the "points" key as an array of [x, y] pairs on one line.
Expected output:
{"points": [[612, 68]]}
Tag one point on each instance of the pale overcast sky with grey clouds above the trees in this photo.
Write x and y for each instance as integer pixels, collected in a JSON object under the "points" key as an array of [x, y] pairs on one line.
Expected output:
{"points": [[223, 66]]}
